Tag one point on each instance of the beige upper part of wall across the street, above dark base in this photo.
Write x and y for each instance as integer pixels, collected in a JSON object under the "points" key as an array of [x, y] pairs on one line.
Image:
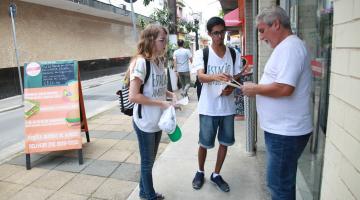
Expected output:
{"points": [[45, 33]]}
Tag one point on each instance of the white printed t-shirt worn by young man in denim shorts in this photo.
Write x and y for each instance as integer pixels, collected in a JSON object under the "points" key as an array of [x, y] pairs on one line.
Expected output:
{"points": [[211, 103]]}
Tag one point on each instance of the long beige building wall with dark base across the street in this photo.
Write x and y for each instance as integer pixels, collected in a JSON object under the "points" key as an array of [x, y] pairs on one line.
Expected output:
{"points": [[97, 34]]}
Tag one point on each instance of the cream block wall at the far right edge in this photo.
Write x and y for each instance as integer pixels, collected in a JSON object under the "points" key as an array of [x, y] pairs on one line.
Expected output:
{"points": [[341, 175]]}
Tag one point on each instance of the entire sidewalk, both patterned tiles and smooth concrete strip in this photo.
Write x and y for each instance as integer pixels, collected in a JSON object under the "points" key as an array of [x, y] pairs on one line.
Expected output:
{"points": [[112, 165]]}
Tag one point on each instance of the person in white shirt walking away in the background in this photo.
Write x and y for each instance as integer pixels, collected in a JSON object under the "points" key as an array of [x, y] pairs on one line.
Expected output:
{"points": [[181, 58]]}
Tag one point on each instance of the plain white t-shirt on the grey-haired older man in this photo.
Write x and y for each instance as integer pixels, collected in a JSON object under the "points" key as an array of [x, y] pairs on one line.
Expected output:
{"points": [[289, 64]]}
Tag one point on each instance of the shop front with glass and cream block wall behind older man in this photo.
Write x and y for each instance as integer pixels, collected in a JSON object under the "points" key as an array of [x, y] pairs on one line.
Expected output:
{"points": [[330, 166]]}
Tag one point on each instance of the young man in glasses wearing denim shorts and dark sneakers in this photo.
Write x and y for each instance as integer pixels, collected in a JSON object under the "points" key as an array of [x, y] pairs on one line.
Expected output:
{"points": [[216, 105]]}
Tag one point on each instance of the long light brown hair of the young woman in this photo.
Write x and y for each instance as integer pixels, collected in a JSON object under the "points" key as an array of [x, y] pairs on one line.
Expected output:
{"points": [[148, 36]]}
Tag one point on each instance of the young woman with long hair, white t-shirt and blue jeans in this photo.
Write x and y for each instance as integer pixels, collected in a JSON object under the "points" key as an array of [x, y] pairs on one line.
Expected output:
{"points": [[151, 48]]}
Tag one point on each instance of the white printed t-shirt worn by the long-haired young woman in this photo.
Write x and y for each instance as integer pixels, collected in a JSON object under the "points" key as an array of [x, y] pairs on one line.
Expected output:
{"points": [[154, 88]]}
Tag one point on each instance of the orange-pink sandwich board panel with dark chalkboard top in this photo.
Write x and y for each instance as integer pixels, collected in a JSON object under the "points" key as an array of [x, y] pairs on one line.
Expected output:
{"points": [[52, 114]]}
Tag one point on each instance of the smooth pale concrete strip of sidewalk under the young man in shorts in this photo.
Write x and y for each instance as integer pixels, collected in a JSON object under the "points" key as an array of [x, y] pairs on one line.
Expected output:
{"points": [[176, 167]]}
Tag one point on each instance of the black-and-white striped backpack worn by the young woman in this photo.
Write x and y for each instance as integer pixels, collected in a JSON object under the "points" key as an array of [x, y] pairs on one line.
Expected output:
{"points": [[126, 106]]}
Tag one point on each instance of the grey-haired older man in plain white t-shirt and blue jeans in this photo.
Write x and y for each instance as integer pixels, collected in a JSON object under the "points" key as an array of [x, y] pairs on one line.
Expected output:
{"points": [[283, 101]]}
